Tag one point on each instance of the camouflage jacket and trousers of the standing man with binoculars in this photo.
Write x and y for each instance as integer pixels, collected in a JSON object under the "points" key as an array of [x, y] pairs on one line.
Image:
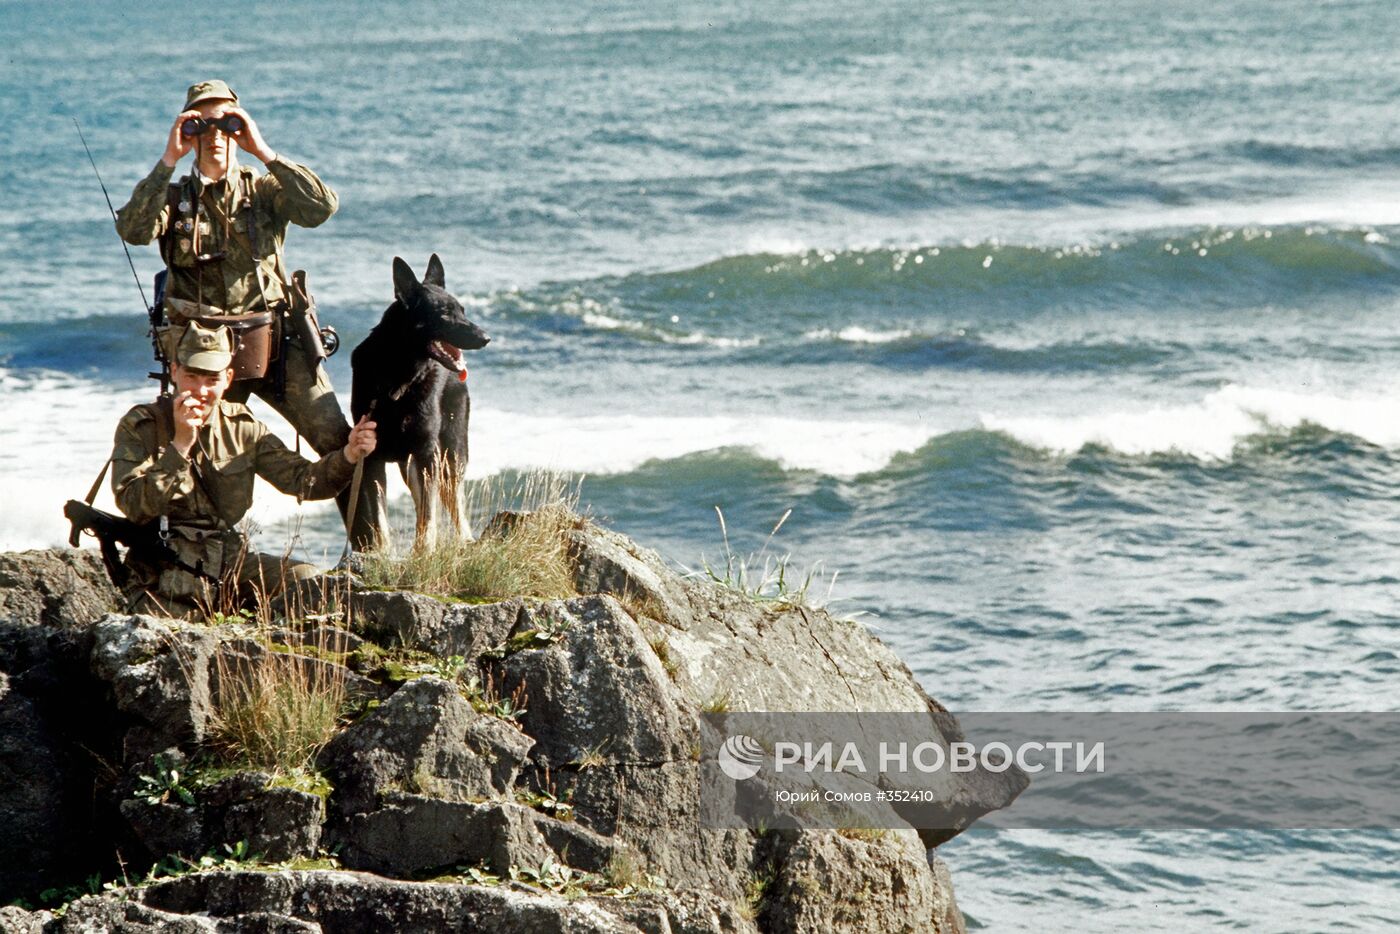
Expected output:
{"points": [[289, 194]]}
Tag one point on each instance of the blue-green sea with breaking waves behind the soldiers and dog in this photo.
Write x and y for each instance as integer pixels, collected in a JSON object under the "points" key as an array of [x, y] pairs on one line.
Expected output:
{"points": [[1067, 334]]}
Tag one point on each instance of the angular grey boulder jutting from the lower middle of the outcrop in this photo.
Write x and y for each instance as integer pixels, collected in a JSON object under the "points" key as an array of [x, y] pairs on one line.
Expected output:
{"points": [[426, 739]]}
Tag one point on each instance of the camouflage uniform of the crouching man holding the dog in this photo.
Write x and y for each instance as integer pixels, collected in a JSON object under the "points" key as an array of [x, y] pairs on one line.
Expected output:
{"points": [[204, 498]]}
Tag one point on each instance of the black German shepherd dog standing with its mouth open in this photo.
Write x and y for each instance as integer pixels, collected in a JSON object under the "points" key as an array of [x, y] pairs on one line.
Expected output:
{"points": [[409, 376]]}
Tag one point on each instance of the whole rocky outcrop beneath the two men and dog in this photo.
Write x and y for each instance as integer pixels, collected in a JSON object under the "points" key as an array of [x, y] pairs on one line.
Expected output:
{"points": [[513, 767]]}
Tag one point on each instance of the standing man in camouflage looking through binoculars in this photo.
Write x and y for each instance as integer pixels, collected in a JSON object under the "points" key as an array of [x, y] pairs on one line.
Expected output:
{"points": [[220, 232]]}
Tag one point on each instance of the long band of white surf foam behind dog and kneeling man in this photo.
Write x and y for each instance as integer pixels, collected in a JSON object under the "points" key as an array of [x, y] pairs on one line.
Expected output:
{"points": [[59, 432]]}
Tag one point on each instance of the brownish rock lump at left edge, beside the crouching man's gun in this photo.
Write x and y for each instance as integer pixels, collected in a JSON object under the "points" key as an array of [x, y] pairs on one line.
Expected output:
{"points": [[58, 587]]}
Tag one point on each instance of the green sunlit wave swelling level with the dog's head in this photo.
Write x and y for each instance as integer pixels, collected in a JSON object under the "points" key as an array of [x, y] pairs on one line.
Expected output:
{"points": [[887, 295]]}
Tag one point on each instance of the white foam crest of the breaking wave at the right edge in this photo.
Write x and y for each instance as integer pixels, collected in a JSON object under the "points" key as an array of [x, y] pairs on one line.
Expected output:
{"points": [[1209, 429]]}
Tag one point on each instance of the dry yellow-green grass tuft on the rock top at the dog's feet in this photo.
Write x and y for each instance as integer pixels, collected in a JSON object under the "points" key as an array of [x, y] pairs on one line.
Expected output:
{"points": [[523, 552]]}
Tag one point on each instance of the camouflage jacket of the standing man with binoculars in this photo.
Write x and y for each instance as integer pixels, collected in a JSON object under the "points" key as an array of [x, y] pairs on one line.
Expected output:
{"points": [[227, 281]]}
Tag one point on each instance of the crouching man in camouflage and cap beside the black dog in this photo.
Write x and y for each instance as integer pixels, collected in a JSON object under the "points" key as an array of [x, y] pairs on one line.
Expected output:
{"points": [[190, 464]]}
